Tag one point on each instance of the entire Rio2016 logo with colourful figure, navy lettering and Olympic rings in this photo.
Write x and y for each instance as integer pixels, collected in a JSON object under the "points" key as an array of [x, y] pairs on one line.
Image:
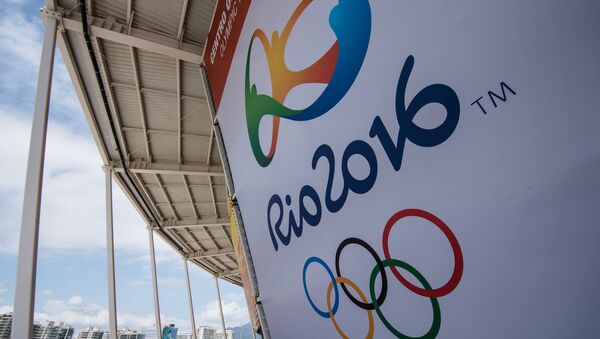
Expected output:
{"points": [[338, 69]]}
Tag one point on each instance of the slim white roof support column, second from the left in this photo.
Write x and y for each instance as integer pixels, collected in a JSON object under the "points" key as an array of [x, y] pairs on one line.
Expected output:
{"points": [[110, 258]]}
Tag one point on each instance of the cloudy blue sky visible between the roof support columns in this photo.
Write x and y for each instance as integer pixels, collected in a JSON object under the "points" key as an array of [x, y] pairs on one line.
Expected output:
{"points": [[71, 284]]}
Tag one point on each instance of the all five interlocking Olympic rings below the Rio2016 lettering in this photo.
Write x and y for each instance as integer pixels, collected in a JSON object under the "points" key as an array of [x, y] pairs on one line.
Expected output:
{"points": [[380, 268]]}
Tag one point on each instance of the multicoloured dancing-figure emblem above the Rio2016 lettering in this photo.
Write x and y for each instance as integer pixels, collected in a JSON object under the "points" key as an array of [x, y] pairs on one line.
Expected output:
{"points": [[350, 20]]}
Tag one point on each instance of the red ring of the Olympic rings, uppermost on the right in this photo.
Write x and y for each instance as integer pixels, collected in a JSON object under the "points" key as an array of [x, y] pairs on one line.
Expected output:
{"points": [[458, 259]]}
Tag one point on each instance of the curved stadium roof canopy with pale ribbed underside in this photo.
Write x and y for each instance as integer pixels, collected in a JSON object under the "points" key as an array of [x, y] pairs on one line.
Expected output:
{"points": [[152, 125]]}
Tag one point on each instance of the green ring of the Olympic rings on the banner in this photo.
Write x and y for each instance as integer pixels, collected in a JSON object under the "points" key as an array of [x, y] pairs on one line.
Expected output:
{"points": [[437, 318]]}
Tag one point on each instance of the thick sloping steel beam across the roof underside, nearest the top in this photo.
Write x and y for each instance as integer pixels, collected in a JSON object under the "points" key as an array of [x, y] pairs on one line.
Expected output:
{"points": [[138, 38]]}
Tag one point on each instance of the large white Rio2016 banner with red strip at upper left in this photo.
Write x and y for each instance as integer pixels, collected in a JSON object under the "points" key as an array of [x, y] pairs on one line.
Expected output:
{"points": [[416, 169]]}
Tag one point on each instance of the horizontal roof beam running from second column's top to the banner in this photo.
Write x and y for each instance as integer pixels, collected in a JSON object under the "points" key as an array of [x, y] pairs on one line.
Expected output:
{"points": [[171, 169]]}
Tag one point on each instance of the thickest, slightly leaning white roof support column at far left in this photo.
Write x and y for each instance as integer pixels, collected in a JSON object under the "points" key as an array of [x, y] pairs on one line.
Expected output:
{"points": [[22, 326]]}
